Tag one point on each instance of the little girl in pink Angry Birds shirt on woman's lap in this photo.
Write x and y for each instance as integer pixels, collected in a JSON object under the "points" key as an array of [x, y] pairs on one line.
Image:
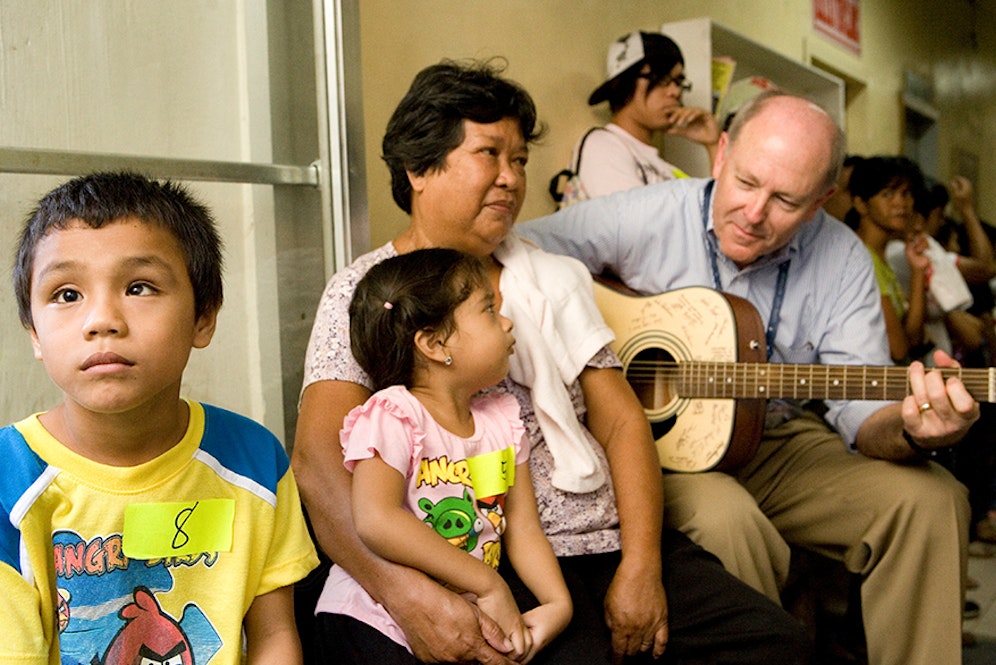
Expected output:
{"points": [[425, 328]]}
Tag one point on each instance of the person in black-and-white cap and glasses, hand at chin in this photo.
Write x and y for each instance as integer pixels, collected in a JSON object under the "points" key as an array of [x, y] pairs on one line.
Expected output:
{"points": [[644, 83]]}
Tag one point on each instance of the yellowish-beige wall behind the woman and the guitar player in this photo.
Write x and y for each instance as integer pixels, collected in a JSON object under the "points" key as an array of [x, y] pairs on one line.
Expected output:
{"points": [[556, 49]]}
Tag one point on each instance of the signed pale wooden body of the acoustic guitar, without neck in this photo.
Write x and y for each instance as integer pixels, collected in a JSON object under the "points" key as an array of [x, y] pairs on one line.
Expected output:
{"points": [[690, 324]]}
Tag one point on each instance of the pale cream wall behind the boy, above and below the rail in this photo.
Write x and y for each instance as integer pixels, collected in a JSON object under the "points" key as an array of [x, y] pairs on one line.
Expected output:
{"points": [[183, 79]]}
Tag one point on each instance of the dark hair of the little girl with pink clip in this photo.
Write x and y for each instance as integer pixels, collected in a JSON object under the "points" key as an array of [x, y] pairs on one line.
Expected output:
{"points": [[402, 295]]}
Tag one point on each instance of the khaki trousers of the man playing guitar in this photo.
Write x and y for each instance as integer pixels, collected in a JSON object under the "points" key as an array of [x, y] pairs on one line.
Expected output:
{"points": [[903, 528]]}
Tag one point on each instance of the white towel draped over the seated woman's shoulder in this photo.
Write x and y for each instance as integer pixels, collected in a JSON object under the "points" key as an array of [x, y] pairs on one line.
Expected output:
{"points": [[558, 329]]}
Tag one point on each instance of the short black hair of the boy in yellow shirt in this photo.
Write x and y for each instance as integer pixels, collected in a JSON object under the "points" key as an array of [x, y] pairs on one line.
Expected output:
{"points": [[99, 199]]}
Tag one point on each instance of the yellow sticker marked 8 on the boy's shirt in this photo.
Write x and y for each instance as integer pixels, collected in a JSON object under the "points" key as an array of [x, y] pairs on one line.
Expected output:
{"points": [[159, 530]]}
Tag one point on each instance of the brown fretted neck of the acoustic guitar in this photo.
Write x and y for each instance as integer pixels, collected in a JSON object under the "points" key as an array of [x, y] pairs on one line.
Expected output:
{"points": [[845, 382]]}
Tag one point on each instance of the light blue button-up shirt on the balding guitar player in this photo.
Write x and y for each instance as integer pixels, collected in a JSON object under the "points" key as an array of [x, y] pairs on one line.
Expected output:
{"points": [[655, 239]]}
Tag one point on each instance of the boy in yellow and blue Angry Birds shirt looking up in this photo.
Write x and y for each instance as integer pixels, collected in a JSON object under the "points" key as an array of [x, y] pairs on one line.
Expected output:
{"points": [[188, 514]]}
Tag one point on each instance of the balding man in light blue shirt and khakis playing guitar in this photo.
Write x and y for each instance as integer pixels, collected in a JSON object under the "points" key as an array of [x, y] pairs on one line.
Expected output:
{"points": [[757, 230]]}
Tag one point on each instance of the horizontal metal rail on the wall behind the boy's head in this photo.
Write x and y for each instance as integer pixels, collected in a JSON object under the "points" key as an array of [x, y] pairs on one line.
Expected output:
{"points": [[58, 162]]}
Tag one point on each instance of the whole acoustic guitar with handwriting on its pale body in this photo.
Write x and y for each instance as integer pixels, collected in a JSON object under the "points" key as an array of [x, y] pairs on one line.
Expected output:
{"points": [[696, 358]]}
